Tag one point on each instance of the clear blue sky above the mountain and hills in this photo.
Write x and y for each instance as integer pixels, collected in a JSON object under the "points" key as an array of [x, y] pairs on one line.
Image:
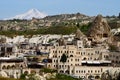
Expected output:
{"points": [[10, 8]]}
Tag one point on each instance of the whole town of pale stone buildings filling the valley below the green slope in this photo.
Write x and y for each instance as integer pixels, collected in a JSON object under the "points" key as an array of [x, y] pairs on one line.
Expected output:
{"points": [[20, 54]]}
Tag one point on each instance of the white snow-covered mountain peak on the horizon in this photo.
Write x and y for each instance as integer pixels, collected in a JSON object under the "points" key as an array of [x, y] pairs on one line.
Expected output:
{"points": [[29, 15]]}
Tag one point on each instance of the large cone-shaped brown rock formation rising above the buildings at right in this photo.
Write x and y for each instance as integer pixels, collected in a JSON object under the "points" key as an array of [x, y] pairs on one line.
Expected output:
{"points": [[100, 29]]}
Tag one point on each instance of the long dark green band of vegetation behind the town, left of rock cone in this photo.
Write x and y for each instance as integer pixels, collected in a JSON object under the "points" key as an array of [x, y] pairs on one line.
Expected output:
{"points": [[49, 30]]}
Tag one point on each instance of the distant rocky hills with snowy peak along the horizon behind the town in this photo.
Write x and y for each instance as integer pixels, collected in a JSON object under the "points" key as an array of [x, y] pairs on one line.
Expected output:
{"points": [[33, 20]]}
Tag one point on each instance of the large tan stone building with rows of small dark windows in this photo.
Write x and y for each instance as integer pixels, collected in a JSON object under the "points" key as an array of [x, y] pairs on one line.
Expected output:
{"points": [[83, 62]]}
